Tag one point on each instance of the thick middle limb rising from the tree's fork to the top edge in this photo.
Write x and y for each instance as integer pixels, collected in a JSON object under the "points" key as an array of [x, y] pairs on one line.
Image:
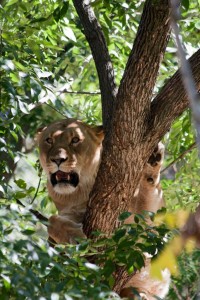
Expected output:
{"points": [[140, 75]]}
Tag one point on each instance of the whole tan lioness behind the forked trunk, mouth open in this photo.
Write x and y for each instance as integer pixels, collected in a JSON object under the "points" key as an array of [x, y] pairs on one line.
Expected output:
{"points": [[70, 153]]}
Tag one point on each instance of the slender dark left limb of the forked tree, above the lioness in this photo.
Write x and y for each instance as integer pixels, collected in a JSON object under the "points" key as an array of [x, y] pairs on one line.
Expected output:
{"points": [[96, 40]]}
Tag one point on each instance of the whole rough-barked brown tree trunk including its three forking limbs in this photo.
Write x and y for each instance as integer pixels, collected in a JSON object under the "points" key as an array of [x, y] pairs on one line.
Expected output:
{"points": [[133, 124]]}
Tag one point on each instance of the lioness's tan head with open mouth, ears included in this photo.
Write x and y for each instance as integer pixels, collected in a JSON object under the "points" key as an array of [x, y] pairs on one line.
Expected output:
{"points": [[69, 154]]}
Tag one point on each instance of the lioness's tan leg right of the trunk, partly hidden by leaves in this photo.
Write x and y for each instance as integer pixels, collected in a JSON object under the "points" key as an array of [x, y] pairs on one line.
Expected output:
{"points": [[148, 197]]}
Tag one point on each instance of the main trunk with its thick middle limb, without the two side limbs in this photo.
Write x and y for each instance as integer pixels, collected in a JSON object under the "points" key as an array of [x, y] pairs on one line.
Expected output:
{"points": [[125, 150]]}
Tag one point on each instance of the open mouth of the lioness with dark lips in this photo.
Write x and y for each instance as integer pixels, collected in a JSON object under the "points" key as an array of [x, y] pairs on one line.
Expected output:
{"points": [[71, 178]]}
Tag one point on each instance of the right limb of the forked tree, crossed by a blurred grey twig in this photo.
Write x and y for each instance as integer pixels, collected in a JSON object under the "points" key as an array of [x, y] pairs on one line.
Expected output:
{"points": [[171, 101]]}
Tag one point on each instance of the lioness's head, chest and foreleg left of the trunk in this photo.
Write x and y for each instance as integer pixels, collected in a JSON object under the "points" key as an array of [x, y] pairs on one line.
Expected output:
{"points": [[59, 154]]}
